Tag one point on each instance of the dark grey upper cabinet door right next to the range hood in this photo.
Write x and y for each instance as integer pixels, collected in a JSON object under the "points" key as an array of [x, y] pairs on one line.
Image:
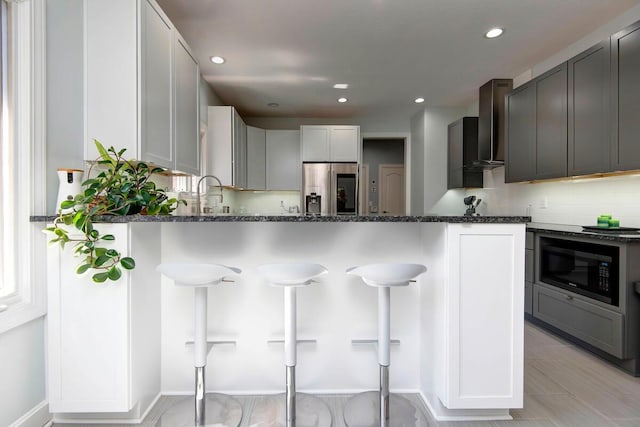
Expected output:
{"points": [[521, 134]]}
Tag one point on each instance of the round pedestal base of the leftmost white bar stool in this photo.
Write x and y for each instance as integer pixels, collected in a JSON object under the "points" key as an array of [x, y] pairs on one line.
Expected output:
{"points": [[221, 411]]}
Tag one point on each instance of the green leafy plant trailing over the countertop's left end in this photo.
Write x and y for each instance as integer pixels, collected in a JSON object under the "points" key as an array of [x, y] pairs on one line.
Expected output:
{"points": [[122, 187]]}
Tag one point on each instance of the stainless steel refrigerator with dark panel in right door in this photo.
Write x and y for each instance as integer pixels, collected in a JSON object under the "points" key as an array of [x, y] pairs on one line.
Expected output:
{"points": [[330, 188]]}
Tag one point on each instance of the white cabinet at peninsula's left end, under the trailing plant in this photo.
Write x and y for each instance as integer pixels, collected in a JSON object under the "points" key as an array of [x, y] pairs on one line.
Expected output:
{"points": [[104, 339]]}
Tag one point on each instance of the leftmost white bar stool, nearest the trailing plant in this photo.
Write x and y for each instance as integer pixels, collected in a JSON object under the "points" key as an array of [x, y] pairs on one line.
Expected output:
{"points": [[213, 409]]}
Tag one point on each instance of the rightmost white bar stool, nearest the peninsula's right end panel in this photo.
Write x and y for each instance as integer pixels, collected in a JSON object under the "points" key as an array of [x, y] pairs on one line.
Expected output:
{"points": [[375, 408]]}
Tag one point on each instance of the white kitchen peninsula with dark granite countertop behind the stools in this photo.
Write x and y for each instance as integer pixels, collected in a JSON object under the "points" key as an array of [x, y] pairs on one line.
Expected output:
{"points": [[460, 327]]}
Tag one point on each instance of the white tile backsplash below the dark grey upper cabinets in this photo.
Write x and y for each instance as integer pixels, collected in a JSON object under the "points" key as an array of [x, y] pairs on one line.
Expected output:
{"points": [[576, 201]]}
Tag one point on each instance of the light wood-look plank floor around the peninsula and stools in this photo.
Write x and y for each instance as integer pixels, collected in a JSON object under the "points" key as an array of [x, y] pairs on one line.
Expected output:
{"points": [[563, 386]]}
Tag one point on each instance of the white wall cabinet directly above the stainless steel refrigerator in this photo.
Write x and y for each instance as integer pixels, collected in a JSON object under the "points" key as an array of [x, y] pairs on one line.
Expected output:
{"points": [[330, 143]]}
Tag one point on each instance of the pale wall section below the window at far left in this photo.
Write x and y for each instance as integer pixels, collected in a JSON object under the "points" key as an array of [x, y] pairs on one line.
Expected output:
{"points": [[22, 370]]}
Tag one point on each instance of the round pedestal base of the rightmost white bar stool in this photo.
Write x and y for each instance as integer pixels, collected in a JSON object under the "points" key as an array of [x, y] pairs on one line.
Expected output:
{"points": [[363, 410]]}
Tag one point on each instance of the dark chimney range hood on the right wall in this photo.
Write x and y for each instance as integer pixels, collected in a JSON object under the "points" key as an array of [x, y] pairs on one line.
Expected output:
{"points": [[491, 123]]}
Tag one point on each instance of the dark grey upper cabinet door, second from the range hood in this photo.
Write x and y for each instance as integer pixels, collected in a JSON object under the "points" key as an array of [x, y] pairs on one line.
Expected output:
{"points": [[551, 123]]}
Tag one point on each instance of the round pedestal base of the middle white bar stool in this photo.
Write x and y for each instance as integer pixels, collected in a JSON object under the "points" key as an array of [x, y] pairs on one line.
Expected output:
{"points": [[310, 412]]}
